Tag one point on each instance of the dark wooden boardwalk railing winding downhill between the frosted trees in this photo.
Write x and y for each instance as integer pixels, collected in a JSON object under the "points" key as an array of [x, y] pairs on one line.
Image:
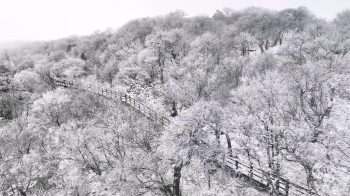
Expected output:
{"points": [[257, 177]]}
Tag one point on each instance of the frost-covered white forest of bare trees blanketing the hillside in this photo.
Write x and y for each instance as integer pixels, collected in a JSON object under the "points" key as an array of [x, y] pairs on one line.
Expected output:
{"points": [[267, 88]]}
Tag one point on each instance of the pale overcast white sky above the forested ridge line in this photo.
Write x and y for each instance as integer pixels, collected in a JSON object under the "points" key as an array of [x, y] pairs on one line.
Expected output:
{"points": [[53, 19]]}
